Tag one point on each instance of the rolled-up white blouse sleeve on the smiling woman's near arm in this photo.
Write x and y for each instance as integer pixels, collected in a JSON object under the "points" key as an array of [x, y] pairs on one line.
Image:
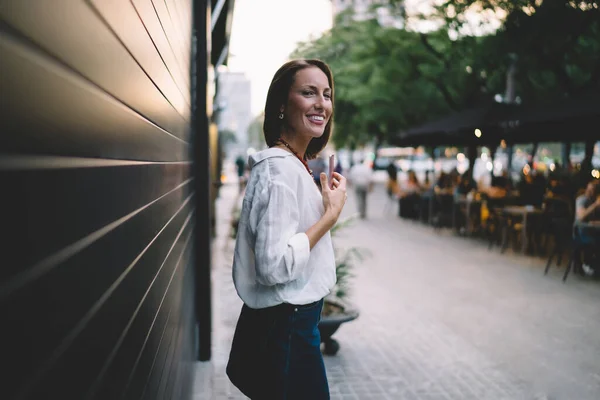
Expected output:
{"points": [[280, 251]]}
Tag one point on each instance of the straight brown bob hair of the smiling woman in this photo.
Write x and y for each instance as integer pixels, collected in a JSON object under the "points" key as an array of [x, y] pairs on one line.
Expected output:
{"points": [[278, 95]]}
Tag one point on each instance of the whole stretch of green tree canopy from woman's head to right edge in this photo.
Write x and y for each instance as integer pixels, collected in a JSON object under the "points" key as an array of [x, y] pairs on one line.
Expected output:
{"points": [[389, 79]]}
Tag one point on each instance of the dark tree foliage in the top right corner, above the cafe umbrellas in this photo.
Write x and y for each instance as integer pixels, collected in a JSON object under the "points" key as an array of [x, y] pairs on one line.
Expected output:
{"points": [[556, 42]]}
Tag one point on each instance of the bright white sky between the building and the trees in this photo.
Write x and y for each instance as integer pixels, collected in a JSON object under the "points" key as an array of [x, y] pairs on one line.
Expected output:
{"points": [[265, 32]]}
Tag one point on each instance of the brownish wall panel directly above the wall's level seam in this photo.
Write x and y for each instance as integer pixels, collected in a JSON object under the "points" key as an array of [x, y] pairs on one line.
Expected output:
{"points": [[50, 110]]}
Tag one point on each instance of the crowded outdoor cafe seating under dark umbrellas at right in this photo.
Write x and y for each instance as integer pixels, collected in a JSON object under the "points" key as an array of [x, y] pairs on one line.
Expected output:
{"points": [[523, 169]]}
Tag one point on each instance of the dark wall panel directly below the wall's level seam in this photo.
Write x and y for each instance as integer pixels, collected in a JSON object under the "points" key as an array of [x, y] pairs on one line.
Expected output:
{"points": [[82, 201]]}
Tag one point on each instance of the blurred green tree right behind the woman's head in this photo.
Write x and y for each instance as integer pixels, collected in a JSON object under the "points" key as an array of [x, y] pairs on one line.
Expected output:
{"points": [[390, 79]]}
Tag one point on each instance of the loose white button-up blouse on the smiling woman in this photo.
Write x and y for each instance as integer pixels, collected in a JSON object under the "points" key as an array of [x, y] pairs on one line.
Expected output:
{"points": [[273, 263]]}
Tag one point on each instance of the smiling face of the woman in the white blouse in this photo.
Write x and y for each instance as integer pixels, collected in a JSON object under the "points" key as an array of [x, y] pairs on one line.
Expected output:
{"points": [[309, 106]]}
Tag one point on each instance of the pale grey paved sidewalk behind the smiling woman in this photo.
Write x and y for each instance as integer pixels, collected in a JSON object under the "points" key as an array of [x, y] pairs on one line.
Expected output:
{"points": [[441, 318]]}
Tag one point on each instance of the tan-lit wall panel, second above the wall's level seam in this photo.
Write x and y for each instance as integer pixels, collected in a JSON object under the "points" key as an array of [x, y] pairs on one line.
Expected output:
{"points": [[73, 33]]}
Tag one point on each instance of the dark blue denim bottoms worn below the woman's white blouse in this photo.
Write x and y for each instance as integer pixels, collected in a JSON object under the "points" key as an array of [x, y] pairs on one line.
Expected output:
{"points": [[276, 354]]}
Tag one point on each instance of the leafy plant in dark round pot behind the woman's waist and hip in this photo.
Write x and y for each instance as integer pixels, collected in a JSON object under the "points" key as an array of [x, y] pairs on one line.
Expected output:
{"points": [[336, 309]]}
